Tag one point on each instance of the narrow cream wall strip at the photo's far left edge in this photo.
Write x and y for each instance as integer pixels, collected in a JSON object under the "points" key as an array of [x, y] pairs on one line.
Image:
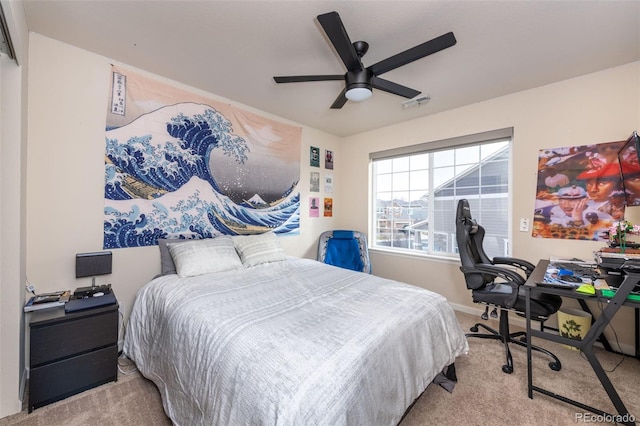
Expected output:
{"points": [[13, 136]]}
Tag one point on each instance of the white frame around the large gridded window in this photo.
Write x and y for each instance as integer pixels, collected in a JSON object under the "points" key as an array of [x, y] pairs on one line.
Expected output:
{"points": [[431, 147]]}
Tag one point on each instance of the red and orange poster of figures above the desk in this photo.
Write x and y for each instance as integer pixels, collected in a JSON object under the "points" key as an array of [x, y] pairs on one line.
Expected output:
{"points": [[579, 192]]}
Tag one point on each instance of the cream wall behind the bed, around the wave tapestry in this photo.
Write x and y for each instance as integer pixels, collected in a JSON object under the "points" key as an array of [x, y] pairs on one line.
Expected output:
{"points": [[68, 100]]}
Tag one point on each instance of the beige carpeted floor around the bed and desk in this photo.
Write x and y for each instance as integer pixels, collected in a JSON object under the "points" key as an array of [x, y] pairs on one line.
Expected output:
{"points": [[484, 394]]}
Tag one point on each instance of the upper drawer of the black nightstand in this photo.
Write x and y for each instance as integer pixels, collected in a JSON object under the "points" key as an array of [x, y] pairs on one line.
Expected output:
{"points": [[72, 336]]}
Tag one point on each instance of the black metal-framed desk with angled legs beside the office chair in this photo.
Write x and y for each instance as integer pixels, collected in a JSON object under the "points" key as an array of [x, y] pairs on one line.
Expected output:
{"points": [[586, 345]]}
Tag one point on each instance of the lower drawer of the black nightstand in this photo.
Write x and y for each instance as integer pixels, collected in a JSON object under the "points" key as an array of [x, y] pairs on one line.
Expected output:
{"points": [[58, 380]]}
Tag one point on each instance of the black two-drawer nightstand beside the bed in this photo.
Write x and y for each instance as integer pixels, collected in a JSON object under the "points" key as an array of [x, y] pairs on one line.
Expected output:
{"points": [[71, 352]]}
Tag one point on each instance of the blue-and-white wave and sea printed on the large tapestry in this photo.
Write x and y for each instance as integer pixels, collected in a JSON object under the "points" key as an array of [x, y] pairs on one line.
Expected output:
{"points": [[181, 197]]}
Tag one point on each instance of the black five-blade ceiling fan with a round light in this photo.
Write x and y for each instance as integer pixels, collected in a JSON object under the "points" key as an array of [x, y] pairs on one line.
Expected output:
{"points": [[359, 81]]}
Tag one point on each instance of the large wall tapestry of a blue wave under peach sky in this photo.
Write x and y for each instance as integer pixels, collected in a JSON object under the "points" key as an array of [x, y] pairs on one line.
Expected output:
{"points": [[181, 165]]}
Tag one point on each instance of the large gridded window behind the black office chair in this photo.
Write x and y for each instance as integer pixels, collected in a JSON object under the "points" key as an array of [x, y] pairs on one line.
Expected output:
{"points": [[416, 190]]}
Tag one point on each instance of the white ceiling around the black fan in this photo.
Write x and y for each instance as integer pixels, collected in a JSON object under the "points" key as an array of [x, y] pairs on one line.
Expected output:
{"points": [[234, 48]]}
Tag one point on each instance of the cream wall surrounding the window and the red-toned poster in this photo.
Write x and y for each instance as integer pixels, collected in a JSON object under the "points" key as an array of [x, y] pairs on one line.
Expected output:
{"points": [[595, 108]]}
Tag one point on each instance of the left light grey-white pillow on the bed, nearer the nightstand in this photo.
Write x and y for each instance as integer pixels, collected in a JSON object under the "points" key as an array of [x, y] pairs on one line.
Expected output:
{"points": [[199, 257]]}
